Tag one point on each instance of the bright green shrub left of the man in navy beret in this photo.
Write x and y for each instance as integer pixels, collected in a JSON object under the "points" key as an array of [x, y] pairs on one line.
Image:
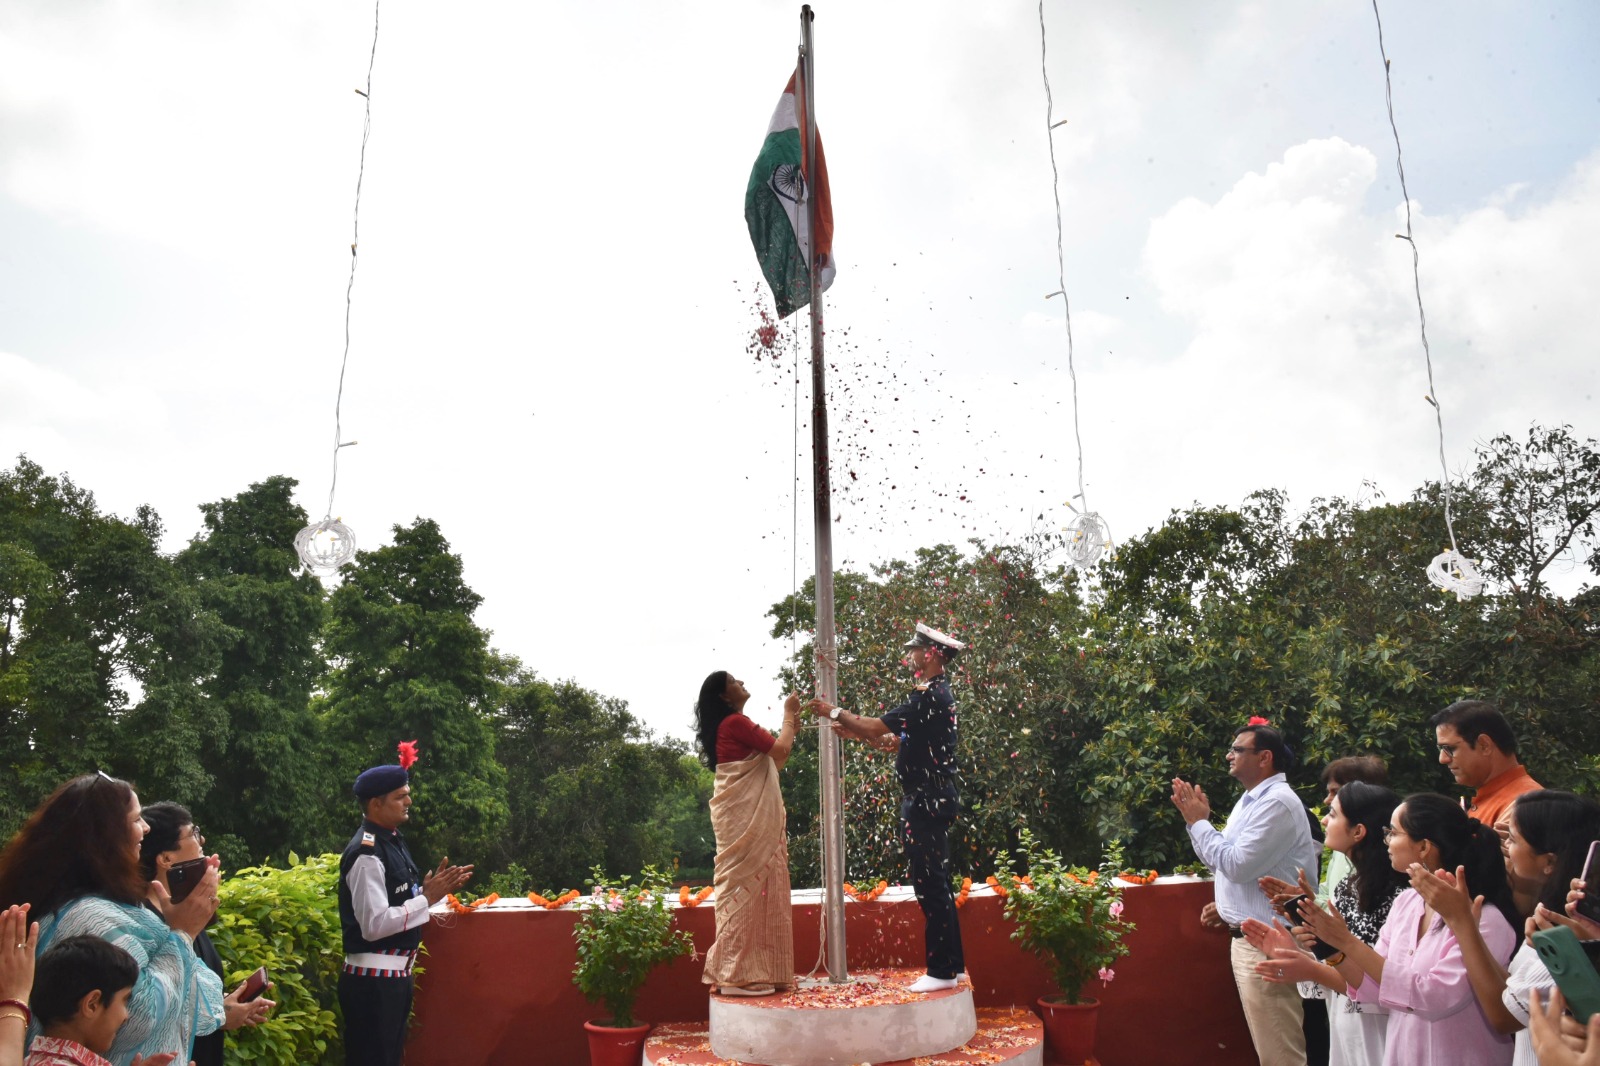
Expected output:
{"points": [[289, 923]]}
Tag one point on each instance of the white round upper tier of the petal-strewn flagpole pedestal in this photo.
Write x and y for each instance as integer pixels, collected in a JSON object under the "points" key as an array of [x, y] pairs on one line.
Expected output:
{"points": [[873, 1019]]}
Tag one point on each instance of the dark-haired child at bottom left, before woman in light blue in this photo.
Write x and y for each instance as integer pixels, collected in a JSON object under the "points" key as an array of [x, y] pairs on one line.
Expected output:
{"points": [[81, 1000]]}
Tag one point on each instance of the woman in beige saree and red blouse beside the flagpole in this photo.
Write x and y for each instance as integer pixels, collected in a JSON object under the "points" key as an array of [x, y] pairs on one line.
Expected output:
{"points": [[754, 950]]}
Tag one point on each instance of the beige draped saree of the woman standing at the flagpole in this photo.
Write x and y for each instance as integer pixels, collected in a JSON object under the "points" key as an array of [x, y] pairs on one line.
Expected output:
{"points": [[754, 936]]}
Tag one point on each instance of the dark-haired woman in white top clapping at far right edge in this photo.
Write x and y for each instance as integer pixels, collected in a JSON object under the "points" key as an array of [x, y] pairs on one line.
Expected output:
{"points": [[1550, 840]]}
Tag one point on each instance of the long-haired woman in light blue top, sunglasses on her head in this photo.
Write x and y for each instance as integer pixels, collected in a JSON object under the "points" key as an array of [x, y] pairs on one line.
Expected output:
{"points": [[78, 864]]}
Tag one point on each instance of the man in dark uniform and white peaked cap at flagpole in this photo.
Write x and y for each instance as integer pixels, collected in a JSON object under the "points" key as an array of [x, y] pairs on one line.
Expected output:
{"points": [[922, 732]]}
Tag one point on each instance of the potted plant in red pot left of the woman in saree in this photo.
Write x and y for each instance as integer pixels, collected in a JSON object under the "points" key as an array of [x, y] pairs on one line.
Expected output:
{"points": [[625, 934]]}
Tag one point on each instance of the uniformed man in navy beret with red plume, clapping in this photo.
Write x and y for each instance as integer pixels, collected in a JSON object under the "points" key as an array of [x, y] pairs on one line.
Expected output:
{"points": [[383, 907]]}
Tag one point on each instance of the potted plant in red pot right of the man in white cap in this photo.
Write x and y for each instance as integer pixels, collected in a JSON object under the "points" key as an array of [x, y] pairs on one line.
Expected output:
{"points": [[1070, 918]]}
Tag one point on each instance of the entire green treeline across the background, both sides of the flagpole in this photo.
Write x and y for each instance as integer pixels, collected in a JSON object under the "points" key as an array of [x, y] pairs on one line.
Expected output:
{"points": [[225, 679]]}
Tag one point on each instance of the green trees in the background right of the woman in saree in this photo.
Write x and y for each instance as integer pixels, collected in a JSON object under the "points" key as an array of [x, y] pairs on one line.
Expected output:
{"points": [[1081, 700]]}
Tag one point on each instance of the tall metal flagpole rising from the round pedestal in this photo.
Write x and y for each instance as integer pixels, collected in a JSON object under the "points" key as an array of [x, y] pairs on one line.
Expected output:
{"points": [[833, 832]]}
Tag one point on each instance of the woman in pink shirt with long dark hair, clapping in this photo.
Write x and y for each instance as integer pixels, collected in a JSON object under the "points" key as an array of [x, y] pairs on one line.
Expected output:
{"points": [[1417, 968]]}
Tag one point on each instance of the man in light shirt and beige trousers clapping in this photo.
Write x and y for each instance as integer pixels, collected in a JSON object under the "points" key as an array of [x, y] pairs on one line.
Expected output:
{"points": [[1268, 836]]}
